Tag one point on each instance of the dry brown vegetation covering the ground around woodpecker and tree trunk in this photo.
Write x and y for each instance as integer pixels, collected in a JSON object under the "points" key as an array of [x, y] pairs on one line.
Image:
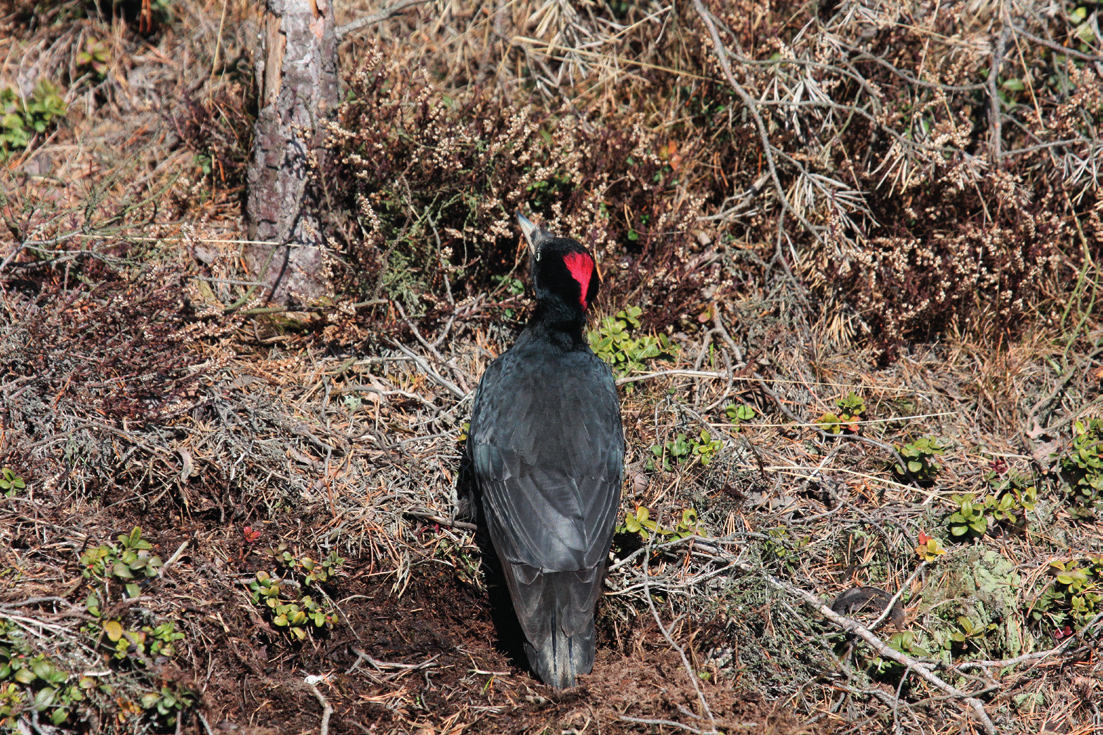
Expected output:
{"points": [[895, 201]]}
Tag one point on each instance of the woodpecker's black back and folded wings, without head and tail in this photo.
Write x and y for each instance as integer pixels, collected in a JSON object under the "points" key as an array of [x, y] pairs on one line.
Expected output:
{"points": [[548, 449]]}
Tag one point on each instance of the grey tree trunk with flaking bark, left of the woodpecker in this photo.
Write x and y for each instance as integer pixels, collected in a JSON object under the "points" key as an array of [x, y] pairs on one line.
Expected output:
{"points": [[298, 79]]}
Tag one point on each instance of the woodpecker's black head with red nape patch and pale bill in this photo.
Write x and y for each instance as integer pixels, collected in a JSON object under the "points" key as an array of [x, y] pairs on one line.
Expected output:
{"points": [[565, 275]]}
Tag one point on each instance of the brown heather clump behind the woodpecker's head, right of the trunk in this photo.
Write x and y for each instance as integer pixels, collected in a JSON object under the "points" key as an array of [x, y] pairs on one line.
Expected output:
{"points": [[435, 183]]}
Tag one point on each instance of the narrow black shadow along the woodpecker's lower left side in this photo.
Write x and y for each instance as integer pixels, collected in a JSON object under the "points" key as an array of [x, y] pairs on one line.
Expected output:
{"points": [[510, 638]]}
